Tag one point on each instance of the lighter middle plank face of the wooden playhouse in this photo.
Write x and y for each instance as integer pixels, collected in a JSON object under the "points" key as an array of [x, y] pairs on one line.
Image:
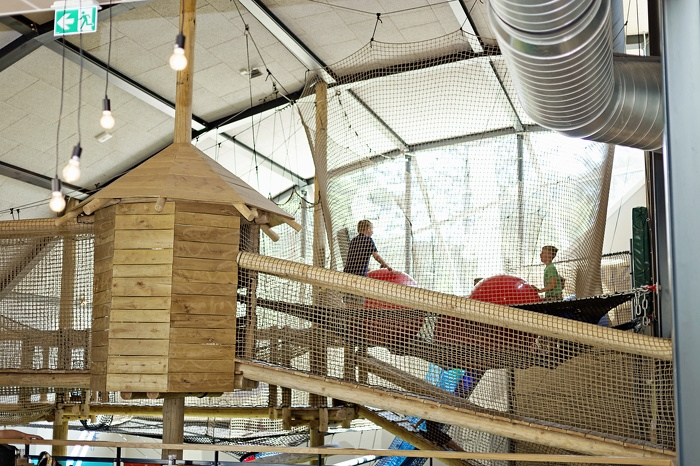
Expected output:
{"points": [[141, 283]]}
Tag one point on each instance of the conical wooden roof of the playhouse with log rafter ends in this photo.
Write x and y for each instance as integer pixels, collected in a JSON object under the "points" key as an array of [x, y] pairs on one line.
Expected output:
{"points": [[183, 172]]}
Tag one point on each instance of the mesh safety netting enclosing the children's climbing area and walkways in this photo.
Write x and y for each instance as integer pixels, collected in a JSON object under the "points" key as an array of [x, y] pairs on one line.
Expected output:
{"points": [[450, 256]]}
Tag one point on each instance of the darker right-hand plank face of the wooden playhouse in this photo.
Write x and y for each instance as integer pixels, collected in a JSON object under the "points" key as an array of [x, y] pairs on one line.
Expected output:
{"points": [[203, 312]]}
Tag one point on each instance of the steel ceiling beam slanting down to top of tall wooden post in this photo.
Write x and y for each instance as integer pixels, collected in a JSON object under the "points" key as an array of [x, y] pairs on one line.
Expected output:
{"points": [[291, 42]]}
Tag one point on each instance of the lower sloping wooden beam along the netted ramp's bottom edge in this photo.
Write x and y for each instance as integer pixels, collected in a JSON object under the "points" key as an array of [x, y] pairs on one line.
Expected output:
{"points": [[435, 411]]}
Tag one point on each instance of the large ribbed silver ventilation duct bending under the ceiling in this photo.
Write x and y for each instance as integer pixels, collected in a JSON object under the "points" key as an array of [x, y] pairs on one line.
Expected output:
{"points": [[560, 55]]}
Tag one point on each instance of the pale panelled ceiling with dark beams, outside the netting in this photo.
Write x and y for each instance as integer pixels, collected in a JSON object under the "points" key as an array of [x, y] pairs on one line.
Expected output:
{"points": [[247, 124]]}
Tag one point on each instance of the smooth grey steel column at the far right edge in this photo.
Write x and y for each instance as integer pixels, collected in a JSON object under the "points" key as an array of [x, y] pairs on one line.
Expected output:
{"points": [[681, 66]]}
